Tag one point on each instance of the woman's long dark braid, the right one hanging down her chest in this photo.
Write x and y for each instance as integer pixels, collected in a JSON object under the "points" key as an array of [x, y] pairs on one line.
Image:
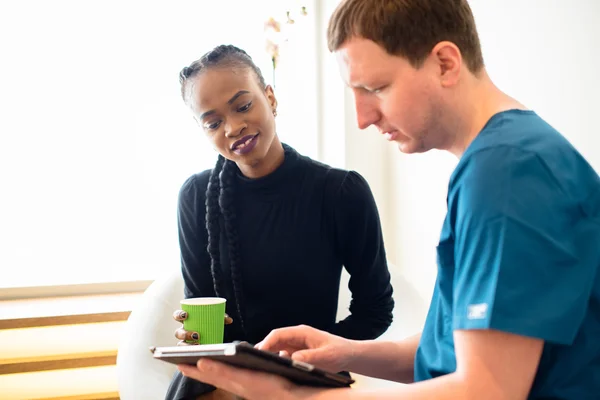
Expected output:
{"points": [[226, 202]]}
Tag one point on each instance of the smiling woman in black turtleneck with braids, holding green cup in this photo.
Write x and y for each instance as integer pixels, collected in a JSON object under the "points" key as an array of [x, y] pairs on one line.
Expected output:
{"points": [[268, 228]]}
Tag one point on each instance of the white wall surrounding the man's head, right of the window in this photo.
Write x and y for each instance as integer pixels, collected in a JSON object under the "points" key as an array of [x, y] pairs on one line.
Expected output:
{"points": [[540, 51]]}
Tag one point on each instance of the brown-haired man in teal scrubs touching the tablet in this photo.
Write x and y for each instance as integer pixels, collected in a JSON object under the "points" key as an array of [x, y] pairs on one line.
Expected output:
{"points": [[515, 312]]}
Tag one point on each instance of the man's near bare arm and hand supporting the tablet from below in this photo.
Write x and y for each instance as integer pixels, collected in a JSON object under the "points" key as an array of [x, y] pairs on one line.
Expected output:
{"points": [[491, 365]]}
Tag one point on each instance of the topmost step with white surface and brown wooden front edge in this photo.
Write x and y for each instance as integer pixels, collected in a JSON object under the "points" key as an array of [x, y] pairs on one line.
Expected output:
{"points": [[52, 311]]}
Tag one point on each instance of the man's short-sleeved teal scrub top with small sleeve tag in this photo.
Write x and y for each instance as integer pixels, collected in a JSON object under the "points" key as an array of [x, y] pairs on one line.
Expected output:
{"points": [[519, 252]]}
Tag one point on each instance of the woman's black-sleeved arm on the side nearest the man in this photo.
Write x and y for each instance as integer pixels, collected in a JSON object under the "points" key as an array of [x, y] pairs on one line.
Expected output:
{"points": [[359, 241]]}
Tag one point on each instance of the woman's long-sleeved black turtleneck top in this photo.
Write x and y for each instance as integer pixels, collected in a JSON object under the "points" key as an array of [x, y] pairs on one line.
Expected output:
{"points": [[297, 228]]}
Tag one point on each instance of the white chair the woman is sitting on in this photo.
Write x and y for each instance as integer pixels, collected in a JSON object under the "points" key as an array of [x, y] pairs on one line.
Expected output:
{"points": [[151, 324]]}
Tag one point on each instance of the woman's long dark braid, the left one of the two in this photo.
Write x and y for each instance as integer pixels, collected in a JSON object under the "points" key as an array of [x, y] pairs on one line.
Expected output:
{"points": [[212, 225]]}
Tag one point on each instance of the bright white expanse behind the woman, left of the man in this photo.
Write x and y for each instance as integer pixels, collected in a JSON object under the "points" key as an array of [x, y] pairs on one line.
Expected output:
{"points": [[93, 151]]}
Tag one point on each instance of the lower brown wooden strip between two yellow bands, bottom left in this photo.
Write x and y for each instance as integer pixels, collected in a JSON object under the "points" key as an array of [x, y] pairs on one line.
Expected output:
{"points": [[61, 361]]}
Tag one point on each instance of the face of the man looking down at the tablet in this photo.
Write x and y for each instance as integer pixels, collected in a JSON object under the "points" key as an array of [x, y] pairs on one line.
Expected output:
{"points": [[404, 103]]}
